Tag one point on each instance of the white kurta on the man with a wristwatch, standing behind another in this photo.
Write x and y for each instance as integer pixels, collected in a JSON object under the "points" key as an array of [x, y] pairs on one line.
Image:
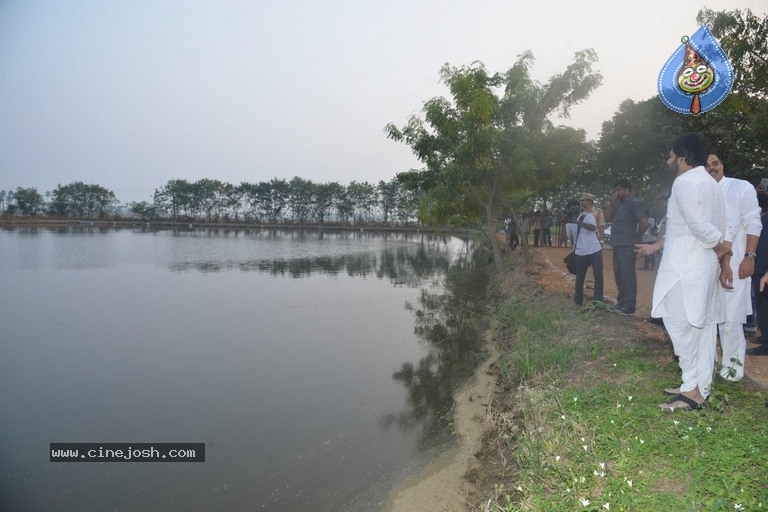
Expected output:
{"points": [[743, 218]]}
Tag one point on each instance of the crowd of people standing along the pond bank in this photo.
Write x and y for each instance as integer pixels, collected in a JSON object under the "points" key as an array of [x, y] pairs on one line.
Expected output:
{"points": [[713, 239]]}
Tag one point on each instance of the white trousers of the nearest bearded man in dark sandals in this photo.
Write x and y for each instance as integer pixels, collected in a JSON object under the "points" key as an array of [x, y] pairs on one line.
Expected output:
{"points": [[696, 347]]}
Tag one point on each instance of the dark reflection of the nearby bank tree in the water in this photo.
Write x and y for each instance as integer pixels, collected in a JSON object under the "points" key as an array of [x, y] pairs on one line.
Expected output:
{"points": [[448, 321]]}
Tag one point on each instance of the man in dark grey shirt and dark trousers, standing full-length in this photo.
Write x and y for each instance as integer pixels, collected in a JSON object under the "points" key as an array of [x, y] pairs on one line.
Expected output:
{"points": [[629, 224]]}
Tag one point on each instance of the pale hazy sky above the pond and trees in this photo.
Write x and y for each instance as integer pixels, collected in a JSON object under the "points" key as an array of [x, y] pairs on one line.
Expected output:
{"points": [[129, 94]]}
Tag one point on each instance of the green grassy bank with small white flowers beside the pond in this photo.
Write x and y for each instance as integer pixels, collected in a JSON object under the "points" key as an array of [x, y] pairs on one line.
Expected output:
{"points": [[578, 427]]}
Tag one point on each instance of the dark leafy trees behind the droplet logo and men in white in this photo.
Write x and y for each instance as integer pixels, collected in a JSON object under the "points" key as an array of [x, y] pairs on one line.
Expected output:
{"points": [[634, 143]]}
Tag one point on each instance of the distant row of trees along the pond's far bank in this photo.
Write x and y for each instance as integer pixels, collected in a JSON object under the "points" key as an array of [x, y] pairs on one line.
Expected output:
{"points": [[275, 201]]}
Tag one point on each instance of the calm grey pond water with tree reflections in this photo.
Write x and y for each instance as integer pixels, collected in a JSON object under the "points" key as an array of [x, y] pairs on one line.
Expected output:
{"points": [[317, 369]]}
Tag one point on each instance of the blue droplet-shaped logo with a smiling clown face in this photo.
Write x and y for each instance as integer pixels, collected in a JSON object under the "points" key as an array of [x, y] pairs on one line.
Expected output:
{"points": [[698, 76]]}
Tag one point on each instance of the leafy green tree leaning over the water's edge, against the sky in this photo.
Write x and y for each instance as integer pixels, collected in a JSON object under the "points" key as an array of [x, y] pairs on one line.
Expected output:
{"points": [[481, 146]]}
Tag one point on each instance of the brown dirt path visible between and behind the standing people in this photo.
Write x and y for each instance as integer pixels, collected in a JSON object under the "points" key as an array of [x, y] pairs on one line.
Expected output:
{"points": [[556, 276]]}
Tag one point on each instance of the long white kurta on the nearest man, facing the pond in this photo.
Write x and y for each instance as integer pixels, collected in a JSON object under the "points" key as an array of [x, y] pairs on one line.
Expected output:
{"points": [[695, 225]]}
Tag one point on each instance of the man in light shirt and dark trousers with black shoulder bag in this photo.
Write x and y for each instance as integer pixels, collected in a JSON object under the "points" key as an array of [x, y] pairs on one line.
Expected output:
{"points": [[589, 252]]}
